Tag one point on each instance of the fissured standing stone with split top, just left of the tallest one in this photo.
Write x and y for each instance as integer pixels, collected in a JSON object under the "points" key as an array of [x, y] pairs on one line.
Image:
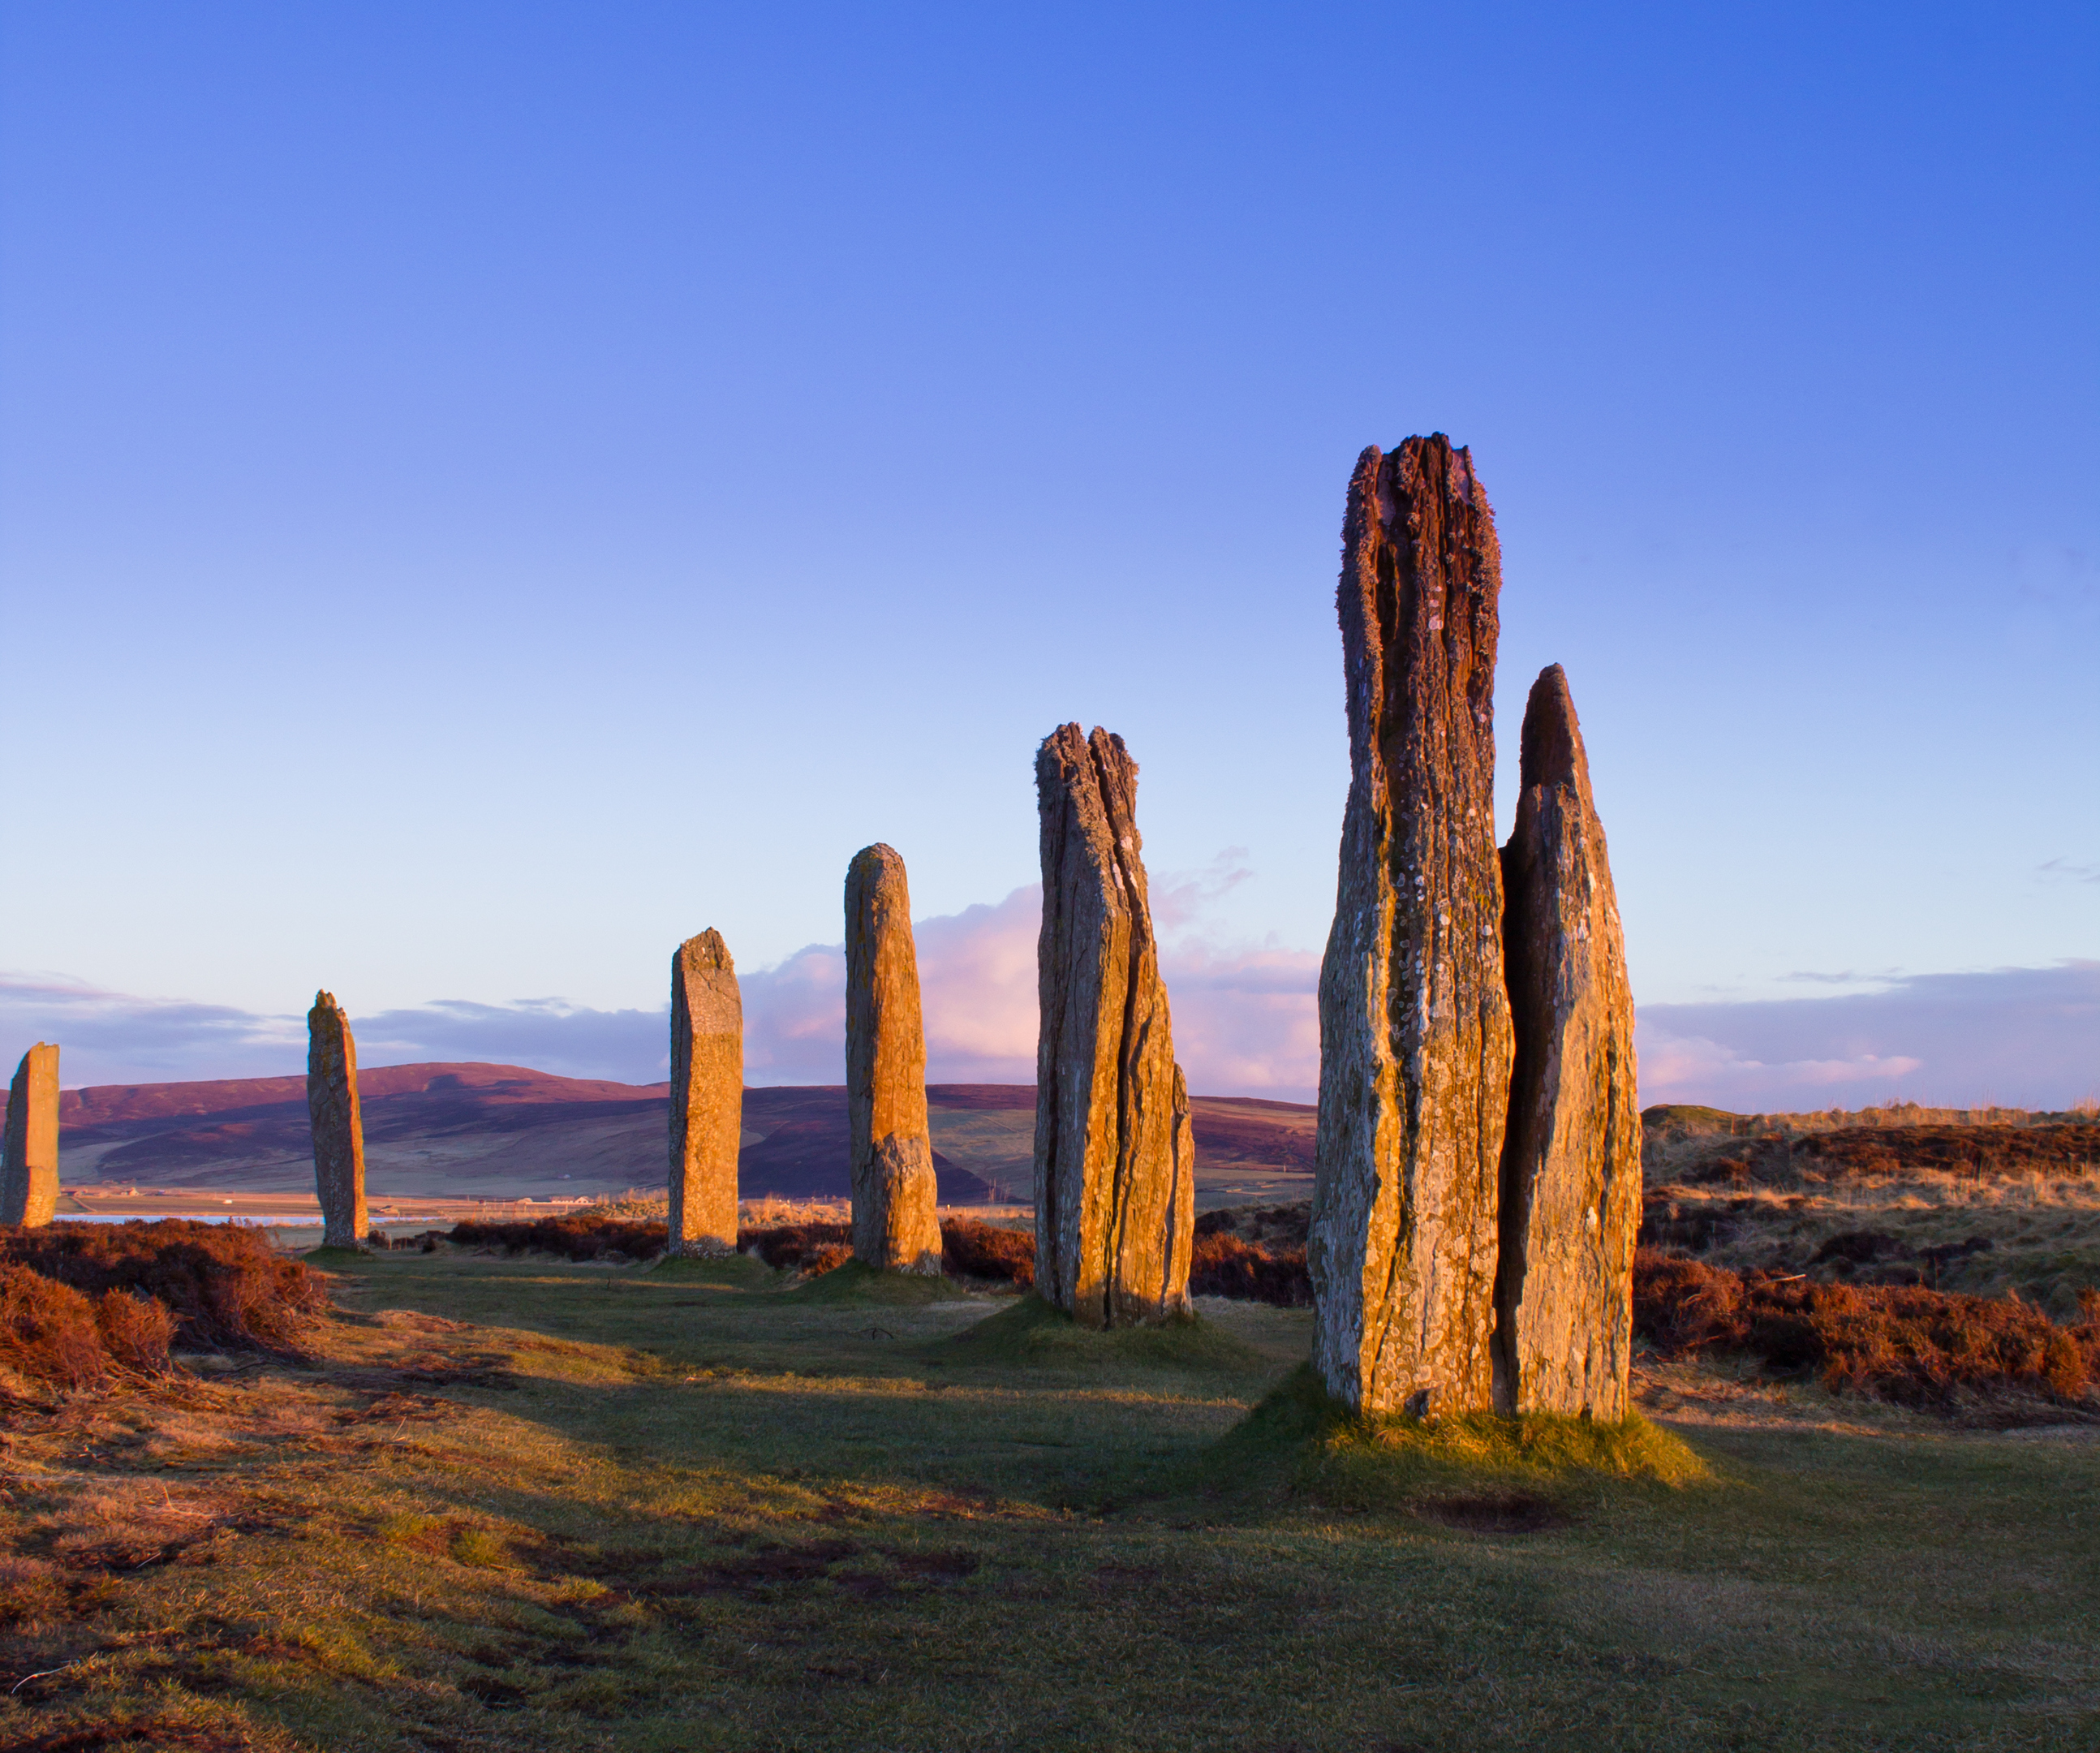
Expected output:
{"points": [[1114, 1143]]}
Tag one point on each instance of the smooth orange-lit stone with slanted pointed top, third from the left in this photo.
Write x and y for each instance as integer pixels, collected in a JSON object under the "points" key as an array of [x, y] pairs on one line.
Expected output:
{"points": [[707, 1097]]}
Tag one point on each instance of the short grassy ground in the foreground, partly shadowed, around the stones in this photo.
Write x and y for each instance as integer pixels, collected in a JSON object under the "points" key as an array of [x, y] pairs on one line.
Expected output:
{"points": [[528, 1506]]}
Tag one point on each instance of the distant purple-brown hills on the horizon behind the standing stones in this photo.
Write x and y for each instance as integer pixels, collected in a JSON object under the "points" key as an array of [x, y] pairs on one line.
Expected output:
{"points": [[511, 1133]]}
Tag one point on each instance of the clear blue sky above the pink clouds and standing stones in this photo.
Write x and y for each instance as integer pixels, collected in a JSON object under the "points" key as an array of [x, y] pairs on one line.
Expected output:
{"points": [[492, 490]]}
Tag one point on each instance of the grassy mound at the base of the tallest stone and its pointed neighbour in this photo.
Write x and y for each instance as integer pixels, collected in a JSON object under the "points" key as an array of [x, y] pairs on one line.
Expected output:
{"points": [[1473, 1469]]}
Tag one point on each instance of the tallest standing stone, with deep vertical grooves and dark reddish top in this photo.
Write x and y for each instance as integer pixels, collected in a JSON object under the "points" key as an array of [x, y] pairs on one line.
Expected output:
{"points": [[1414, 1017]]}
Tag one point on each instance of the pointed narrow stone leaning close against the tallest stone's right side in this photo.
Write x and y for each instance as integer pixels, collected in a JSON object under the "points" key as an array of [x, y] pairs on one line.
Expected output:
{"points": [[1572, 1160]]}
